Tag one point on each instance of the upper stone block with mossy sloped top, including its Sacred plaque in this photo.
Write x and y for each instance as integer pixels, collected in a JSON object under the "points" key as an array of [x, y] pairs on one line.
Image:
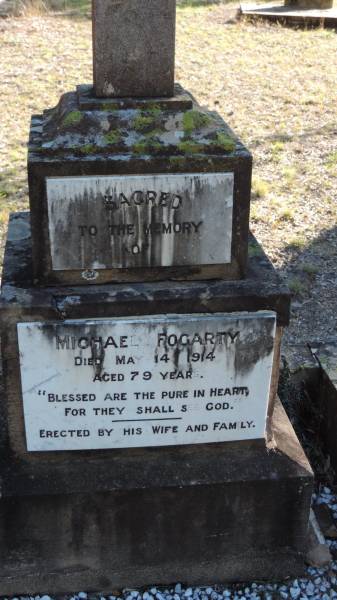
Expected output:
{"points": [[136, 189]]}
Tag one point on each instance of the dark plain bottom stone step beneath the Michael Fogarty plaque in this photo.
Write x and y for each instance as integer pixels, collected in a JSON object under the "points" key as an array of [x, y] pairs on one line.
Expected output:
{"points": [[101, 534]]}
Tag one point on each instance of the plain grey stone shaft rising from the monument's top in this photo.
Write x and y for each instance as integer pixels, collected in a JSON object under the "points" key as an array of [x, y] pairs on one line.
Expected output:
{"points": [[134, 47]]}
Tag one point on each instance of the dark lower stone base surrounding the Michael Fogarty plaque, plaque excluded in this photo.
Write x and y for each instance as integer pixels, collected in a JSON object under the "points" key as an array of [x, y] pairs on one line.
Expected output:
{"points": [[131, 517]]}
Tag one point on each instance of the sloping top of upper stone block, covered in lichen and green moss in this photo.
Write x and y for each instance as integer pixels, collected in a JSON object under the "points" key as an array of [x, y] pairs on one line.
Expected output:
{"points": [[68, 130]]}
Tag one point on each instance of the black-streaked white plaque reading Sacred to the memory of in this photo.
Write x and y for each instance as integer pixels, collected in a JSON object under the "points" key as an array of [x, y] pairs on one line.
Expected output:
{"points": [[115, 222]]}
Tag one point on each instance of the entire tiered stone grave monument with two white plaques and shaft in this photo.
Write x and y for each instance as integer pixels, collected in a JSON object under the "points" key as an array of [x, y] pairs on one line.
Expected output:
{"points": [[142, 439]]}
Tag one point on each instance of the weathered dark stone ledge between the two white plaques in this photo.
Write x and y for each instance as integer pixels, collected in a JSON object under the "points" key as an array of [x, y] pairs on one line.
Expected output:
{"points": [[262, 289]]}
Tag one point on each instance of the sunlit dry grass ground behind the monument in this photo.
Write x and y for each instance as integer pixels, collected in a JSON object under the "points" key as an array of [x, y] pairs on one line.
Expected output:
{"points": [[275, 86]]}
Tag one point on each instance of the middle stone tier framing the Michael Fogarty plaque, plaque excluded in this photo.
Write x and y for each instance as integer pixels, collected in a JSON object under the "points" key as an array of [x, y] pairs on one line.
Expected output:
{"points": [[22, 301]]}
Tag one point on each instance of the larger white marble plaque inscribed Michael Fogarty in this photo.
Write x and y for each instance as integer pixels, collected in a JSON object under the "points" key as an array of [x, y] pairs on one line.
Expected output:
{"points": [[147, 381]]}
